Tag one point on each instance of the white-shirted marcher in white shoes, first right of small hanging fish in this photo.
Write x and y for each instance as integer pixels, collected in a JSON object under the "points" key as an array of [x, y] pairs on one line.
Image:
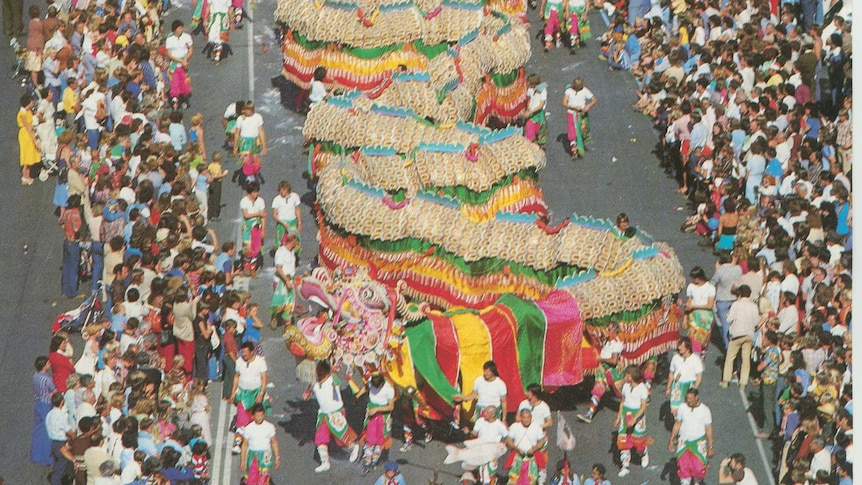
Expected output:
{"points": [[631, 420]]}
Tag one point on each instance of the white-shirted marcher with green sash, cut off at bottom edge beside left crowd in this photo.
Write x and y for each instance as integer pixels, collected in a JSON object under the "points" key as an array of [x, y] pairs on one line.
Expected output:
{"points": [[259, 448]]}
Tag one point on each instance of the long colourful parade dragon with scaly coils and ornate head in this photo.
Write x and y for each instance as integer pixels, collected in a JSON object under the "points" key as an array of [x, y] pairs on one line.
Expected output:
{"points": [[436, 249]]}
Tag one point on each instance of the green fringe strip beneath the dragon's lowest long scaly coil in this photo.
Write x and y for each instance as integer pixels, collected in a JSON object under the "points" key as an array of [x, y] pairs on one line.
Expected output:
{"points": [[482, 267]]}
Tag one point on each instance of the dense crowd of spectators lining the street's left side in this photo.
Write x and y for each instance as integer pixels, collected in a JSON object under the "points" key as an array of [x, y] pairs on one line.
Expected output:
{"points": [[135, 190]]}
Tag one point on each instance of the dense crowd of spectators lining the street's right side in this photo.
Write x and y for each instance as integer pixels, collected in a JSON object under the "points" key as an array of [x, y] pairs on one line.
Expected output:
{"points": [[752, 103]]}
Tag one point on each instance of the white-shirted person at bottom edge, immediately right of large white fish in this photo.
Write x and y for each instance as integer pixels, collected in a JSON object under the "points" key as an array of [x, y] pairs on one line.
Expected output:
{"points": [[525, 439]]}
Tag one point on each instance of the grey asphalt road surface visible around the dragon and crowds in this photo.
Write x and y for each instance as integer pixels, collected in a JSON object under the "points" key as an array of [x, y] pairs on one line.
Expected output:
{"points": [[595, 185]]}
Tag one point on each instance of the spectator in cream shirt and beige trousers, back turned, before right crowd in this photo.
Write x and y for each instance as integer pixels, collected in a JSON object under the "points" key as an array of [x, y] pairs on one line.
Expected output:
{"points": [[743, 318]]}
